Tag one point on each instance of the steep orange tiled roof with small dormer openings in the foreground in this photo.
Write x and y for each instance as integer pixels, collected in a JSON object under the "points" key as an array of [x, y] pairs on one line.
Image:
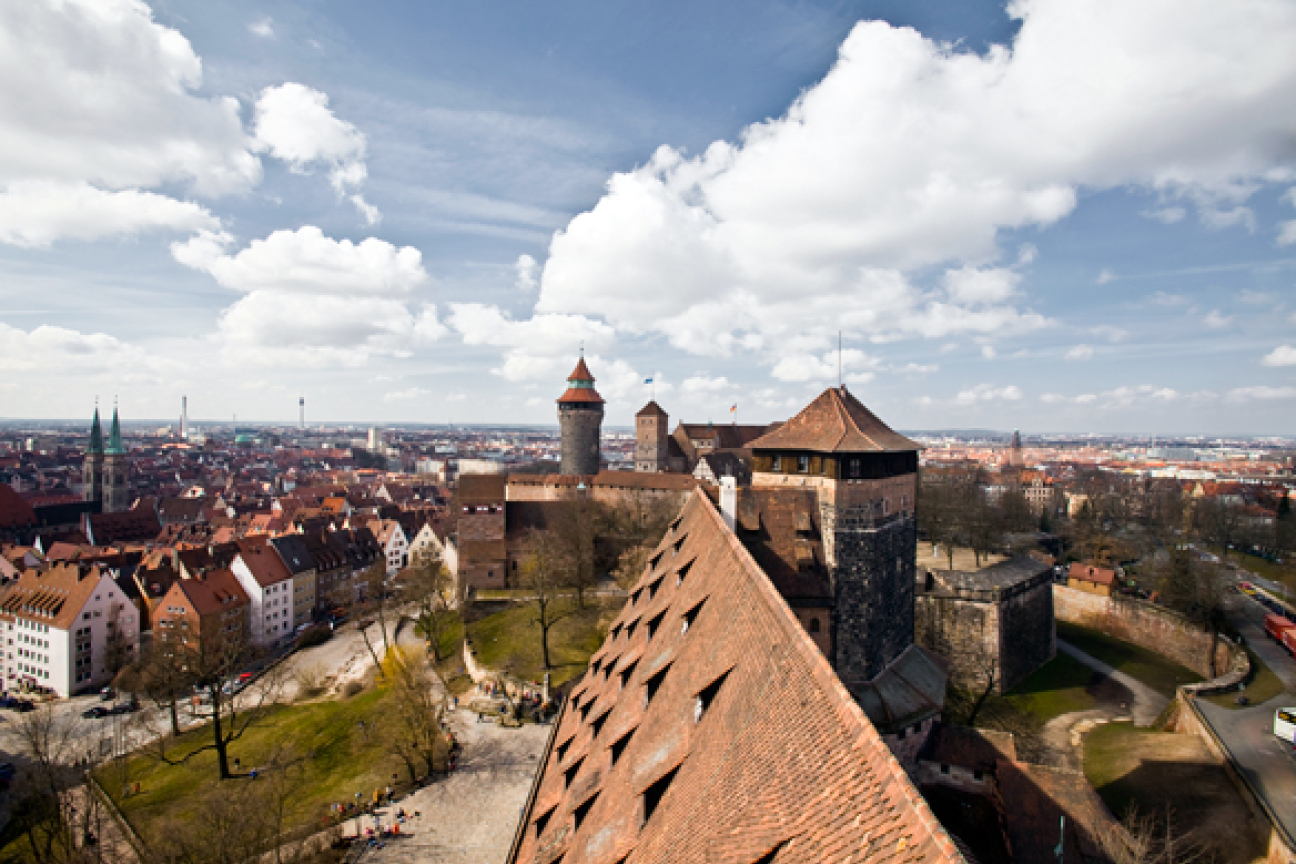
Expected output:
{"points": [[711, 729]]}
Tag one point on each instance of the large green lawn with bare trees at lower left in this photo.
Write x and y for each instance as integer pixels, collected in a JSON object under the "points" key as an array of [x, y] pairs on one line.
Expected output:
{"points": [[341, 757]]}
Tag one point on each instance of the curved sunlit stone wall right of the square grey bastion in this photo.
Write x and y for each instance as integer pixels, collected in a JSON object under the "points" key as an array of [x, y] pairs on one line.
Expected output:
{"points": [[1148, 625]]}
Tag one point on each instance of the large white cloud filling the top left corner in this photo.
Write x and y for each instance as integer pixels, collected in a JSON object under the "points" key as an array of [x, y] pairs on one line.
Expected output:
{"points": [[95, 91]]}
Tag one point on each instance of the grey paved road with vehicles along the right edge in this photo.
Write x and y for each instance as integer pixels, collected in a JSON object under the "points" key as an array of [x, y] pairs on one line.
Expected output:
{"points": [[1267, 762]]}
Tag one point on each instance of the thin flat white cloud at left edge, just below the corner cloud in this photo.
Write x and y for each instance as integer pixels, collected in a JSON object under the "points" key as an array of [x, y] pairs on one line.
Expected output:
{"points": [[40, 213]]}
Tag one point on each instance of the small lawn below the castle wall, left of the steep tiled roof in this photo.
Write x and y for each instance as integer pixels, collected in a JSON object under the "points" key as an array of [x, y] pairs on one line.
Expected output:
{"points": [[510, 641]]}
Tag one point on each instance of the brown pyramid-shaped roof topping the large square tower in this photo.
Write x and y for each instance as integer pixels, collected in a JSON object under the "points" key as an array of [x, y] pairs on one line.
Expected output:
{"points": [[835, 423]]}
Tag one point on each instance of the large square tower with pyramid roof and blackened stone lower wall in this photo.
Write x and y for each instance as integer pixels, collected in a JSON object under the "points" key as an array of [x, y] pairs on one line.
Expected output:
{"points": [[866, 480]]}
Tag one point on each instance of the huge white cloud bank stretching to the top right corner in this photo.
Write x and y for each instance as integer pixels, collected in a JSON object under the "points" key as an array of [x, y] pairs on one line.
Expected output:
{"points": [[913, 155]]}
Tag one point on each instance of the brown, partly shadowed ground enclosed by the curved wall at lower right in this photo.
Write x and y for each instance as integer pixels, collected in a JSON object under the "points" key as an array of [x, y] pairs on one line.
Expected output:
{"points": [[1172, 777]]}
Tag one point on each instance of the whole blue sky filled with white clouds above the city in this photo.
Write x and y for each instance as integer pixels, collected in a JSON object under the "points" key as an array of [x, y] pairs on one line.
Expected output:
{"points": [[1057, 216]]}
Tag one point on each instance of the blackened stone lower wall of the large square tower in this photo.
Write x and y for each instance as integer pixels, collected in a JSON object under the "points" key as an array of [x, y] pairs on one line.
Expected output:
{"points": [[874, 586]]}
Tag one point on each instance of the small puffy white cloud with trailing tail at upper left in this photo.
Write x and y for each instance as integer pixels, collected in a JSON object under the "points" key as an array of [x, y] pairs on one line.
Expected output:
{"points": [[295, 124]]}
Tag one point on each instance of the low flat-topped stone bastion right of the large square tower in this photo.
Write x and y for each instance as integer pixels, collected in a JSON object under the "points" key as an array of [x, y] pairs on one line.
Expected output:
{"points": [[992, 625]]}
